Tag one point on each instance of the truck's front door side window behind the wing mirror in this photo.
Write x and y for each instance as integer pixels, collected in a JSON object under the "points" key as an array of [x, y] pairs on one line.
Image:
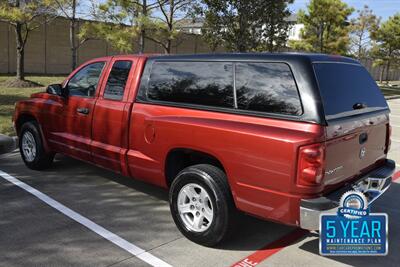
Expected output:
{"points": [[84, 82]]}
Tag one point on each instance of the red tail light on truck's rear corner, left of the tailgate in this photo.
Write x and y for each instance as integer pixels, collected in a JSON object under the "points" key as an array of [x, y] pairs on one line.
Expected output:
{"points": [[311, 165]]}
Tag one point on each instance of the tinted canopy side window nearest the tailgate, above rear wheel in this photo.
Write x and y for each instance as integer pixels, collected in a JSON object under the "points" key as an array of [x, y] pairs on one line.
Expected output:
{"points": [[267, 87]]}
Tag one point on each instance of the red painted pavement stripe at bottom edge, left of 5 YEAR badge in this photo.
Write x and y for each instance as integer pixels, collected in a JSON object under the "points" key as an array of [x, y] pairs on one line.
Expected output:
{"points": [[270, 249]]}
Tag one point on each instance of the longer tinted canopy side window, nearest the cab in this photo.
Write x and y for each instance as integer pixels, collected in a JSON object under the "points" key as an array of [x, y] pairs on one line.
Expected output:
{"points": [[202, 83]]}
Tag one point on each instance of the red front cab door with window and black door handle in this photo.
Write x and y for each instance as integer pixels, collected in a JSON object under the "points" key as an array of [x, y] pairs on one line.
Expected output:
{"points": [[72, 131]]}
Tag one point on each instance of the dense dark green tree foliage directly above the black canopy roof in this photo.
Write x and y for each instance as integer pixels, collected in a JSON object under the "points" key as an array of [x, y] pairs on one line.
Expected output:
{"points": [[245, 25]]}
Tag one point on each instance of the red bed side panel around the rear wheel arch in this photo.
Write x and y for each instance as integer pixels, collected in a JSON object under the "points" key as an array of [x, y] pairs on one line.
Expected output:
{"points": [[259, 155]]}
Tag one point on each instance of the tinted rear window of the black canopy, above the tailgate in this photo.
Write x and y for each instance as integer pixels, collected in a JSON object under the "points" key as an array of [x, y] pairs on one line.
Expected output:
{"points": [[347, 89]]}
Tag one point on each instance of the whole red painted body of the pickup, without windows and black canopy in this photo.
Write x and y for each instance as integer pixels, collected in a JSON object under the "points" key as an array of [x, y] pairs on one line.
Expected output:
{"points": [[259, 155]]}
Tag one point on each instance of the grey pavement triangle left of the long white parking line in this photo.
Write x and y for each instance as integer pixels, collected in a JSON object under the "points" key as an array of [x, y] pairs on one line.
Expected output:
{"points": [[33, 234]]}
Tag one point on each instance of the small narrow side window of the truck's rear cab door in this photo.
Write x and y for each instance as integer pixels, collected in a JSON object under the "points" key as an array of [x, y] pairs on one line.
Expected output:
{"points": [[116, 82]]}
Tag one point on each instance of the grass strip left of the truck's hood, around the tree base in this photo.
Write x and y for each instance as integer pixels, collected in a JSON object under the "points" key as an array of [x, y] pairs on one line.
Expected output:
{"points": [[8, 96]]}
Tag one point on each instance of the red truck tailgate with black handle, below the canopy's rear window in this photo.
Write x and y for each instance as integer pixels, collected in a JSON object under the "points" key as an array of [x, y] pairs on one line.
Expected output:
{"points": [[353, 146]]}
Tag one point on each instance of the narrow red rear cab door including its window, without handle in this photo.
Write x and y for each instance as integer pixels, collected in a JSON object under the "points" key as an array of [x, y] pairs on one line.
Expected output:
{"points": [[111, 115]]}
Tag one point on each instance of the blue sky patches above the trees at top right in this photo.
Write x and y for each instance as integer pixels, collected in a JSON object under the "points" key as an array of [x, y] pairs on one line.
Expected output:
{"points": [[381, 8]]}
